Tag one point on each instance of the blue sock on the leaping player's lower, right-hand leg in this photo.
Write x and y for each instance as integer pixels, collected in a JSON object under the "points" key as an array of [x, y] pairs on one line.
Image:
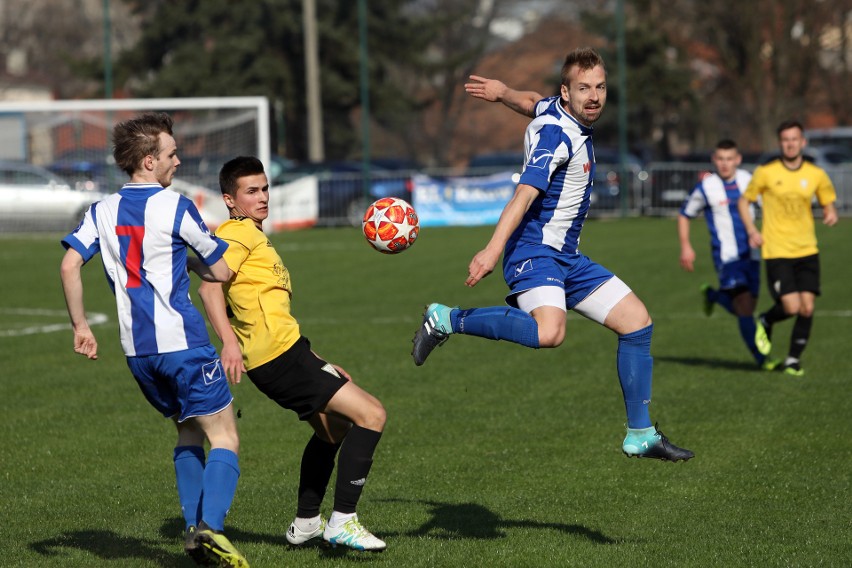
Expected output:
{"points": [[635, 367]]}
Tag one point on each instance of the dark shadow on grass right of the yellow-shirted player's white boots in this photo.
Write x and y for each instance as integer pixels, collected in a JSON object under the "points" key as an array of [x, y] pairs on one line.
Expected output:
{"points": [[453, 521]]}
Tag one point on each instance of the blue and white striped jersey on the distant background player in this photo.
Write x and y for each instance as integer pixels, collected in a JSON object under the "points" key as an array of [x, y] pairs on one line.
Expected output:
{"points": [[718, 200]]}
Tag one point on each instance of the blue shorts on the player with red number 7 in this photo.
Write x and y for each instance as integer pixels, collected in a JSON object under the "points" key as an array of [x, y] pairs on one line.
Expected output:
{"points": [[183, 383]]}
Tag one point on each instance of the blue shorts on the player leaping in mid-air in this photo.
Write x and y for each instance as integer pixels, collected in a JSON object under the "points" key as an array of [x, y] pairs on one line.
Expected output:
{"points": [[527, 268]]}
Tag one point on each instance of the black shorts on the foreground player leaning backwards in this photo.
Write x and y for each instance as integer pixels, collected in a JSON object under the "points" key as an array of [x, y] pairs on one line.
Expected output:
{"points": [[298, 380]]}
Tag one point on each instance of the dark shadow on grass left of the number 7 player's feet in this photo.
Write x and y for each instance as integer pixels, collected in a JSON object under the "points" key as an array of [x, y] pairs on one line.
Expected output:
{"points": [[108, 545]]}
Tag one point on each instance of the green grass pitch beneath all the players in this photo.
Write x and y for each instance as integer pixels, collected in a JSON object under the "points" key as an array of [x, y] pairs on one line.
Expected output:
{"points": [[494, 455]]}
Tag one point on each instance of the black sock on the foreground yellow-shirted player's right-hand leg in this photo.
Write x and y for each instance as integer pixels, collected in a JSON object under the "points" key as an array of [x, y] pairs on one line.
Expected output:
{"points": [[353, 466]]}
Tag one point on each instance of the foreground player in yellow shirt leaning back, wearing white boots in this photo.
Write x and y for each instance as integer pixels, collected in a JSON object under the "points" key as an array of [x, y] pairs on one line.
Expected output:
{"points": [[262, 338]]}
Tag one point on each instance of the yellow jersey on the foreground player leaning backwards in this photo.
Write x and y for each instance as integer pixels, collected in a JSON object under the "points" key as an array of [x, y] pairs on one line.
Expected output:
{"points": [[259, 294]]}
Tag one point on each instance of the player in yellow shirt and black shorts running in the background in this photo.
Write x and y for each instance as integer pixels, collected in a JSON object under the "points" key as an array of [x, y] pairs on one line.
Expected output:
{"points": [[787, 238]]}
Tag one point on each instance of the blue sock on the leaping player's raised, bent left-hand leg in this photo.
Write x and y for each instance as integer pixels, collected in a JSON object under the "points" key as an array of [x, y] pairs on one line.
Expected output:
{"points": [[498, 322]]}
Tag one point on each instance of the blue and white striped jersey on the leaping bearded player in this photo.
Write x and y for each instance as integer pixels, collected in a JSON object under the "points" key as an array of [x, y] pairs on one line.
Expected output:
{"points": [[560, 164]]}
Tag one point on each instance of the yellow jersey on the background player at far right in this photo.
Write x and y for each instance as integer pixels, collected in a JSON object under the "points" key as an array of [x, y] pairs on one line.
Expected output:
{"points": [[788, 222]]}
